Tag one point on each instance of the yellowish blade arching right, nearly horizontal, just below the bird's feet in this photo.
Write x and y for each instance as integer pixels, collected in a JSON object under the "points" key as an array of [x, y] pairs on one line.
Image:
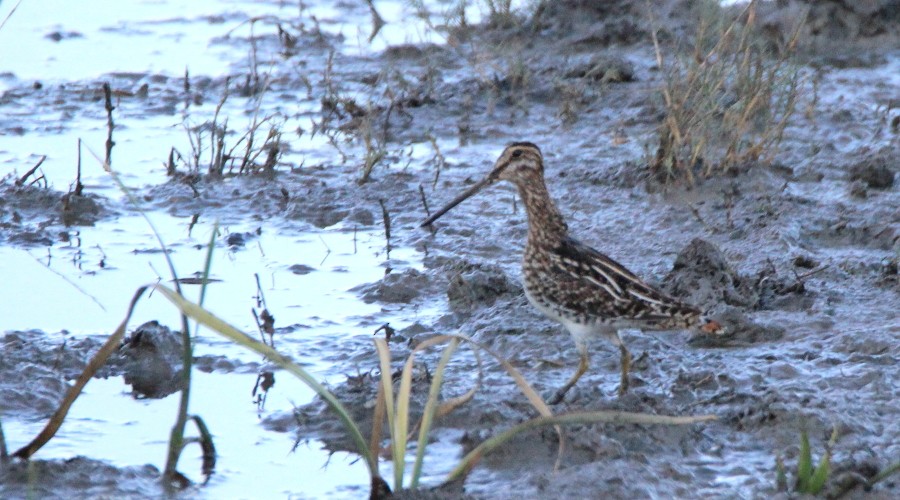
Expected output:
{"points": [[612, 417]]}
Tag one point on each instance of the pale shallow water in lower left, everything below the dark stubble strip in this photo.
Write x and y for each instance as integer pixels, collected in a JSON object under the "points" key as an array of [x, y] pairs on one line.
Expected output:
{"points": [[316, 312]]}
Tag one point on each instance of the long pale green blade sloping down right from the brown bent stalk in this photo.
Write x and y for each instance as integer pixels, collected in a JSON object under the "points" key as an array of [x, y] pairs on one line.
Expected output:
{"points": [[224, 329]]}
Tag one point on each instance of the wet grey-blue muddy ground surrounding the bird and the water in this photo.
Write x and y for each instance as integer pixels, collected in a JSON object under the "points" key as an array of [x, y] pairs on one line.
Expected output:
{"points": [[799, 258]]}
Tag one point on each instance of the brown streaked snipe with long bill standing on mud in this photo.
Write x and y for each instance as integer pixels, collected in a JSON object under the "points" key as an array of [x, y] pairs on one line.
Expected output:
{"points": [[570, 282]]}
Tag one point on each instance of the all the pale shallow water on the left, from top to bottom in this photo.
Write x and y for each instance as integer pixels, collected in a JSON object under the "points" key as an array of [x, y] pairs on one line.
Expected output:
{"points": [[81, 285]]}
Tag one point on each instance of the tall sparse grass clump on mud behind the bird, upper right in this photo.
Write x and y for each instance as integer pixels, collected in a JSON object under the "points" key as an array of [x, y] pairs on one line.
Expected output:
{"points": [[728, 101]]}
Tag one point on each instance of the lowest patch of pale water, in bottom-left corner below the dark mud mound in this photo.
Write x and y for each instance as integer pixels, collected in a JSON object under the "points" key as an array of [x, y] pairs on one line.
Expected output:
{"points": [[252, 462]]}
